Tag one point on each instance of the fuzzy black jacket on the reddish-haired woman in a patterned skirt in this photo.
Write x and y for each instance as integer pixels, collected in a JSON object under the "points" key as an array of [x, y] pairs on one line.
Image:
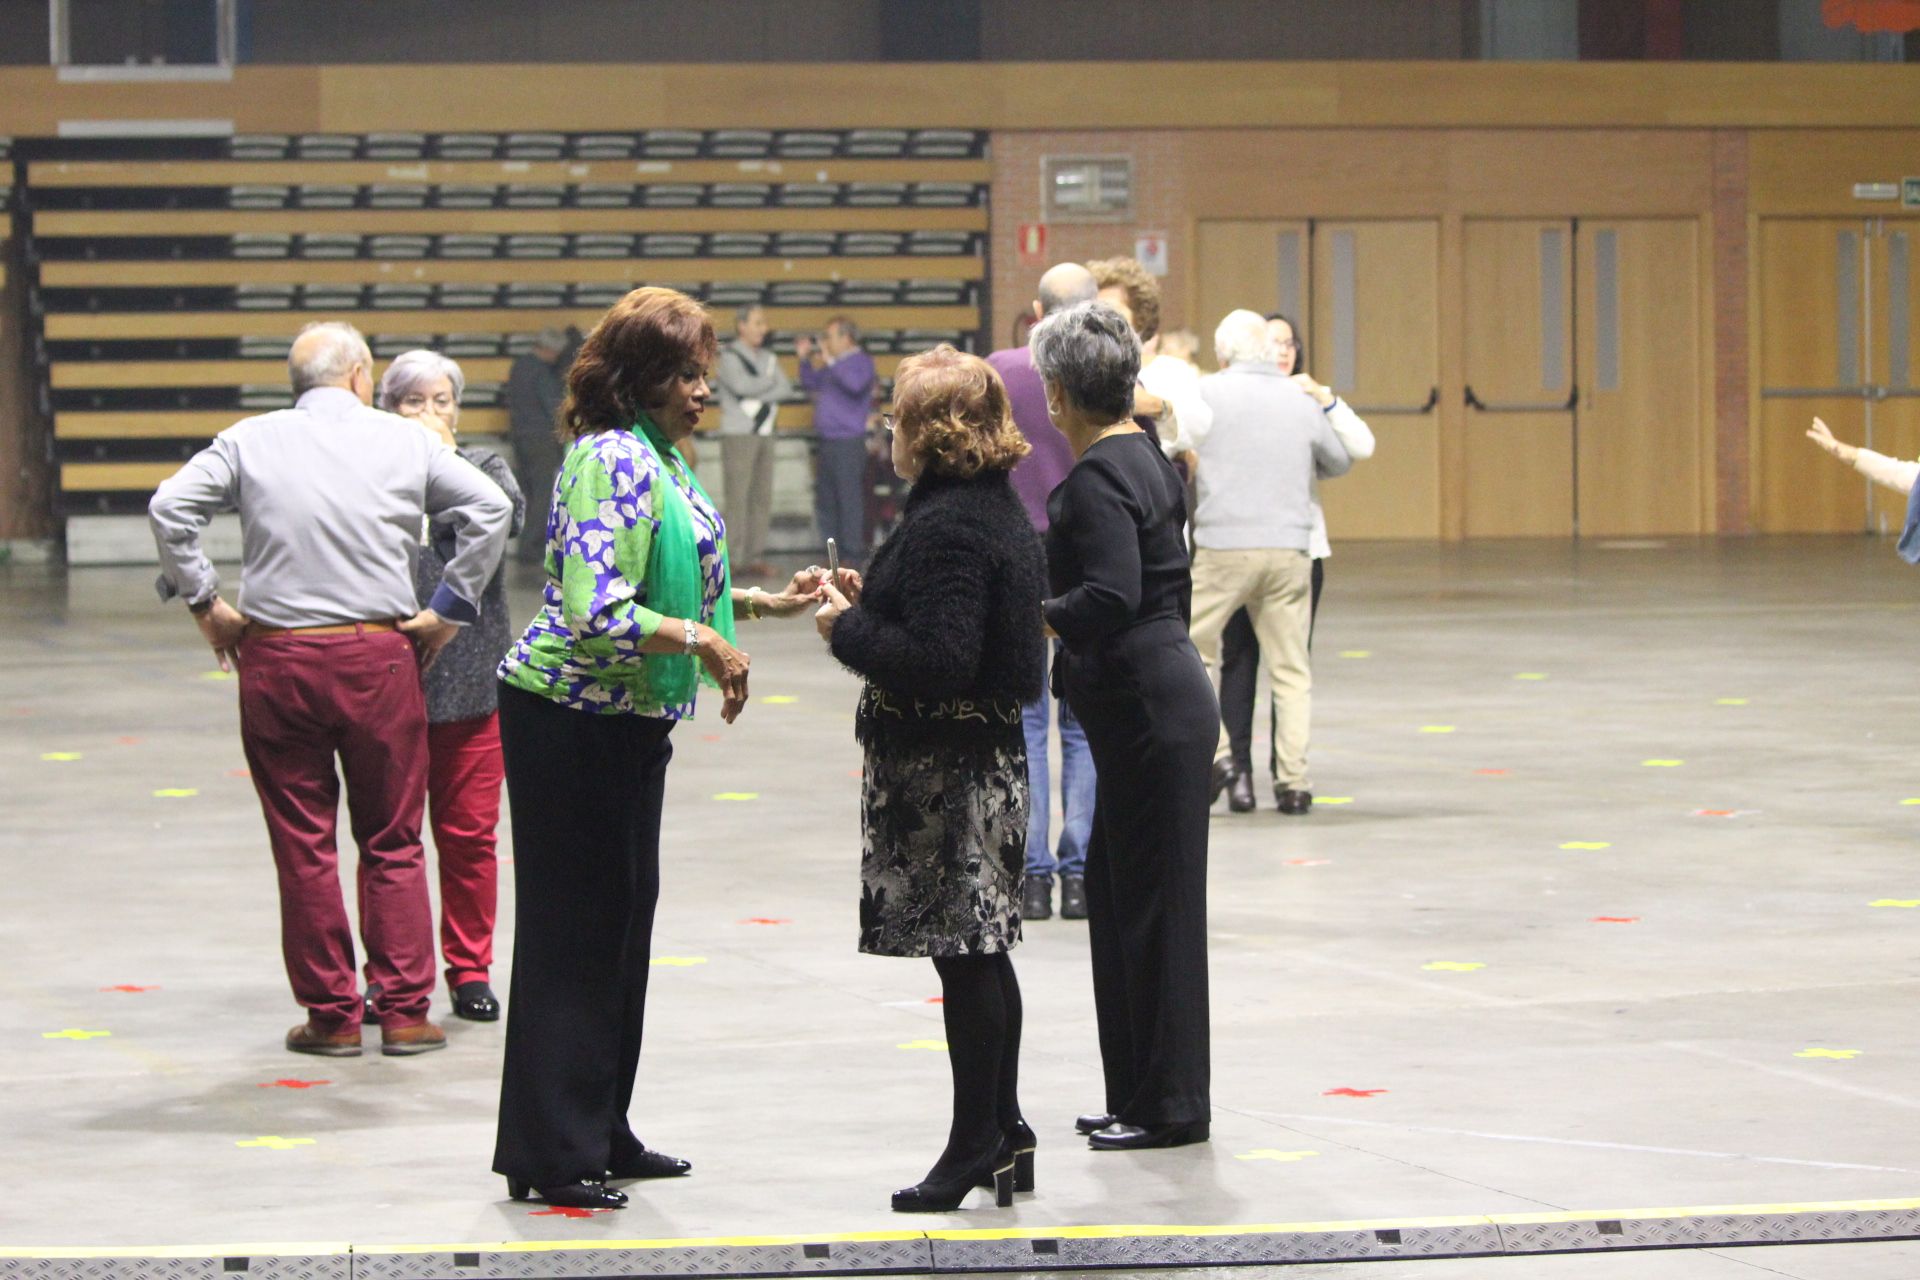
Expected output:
{"points": [[951, 611]]}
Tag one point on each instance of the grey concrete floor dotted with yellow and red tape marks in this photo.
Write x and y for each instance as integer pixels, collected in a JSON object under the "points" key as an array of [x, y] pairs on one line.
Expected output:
{"points": [[1596, 916]]}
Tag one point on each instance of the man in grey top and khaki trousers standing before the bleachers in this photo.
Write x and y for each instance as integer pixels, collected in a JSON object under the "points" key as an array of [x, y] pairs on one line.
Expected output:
{"points": [[752, 389]]}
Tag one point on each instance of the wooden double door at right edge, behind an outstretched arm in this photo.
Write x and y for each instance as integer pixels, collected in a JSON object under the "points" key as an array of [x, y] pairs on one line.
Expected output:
{"points": [[1836, 312]]}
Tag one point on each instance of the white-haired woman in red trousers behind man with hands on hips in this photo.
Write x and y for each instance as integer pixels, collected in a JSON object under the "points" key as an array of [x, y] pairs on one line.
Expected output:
{"points": [[462, 701]]}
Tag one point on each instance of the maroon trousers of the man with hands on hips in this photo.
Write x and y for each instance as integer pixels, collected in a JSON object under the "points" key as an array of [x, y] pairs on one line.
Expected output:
{"points": [[306, 699]]}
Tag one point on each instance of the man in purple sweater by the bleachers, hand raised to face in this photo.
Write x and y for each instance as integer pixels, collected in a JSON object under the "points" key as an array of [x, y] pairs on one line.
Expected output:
{"points": [[840, 377]]}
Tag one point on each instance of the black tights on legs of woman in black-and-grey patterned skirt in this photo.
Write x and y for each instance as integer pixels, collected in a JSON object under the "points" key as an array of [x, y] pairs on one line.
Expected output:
{"points": [[982, 1008]]}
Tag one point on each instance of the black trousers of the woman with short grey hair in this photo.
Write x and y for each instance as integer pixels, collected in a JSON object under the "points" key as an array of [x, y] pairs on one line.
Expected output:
{"points": [[1153, 724]]}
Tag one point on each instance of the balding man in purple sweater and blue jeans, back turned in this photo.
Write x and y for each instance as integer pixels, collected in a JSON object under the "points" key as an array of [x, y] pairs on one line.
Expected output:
{"points": [[1034, 479]]}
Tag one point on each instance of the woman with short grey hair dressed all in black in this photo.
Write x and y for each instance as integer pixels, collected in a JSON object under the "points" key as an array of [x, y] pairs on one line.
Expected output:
{"points": [[1118, 567]]}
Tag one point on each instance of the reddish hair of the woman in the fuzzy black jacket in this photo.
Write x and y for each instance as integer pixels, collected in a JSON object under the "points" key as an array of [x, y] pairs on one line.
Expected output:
{"points": [[959, 414]]}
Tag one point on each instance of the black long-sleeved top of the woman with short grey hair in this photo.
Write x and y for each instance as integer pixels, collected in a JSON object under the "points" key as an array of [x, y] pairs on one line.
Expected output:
{"points": [[1115, 548]]}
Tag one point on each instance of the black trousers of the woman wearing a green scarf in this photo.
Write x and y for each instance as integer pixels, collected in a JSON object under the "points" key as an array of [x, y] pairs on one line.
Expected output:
{"points": [[587, 849]]}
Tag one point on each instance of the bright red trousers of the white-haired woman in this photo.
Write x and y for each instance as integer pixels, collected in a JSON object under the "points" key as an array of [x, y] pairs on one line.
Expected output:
{"points": [[464, 799]]}
